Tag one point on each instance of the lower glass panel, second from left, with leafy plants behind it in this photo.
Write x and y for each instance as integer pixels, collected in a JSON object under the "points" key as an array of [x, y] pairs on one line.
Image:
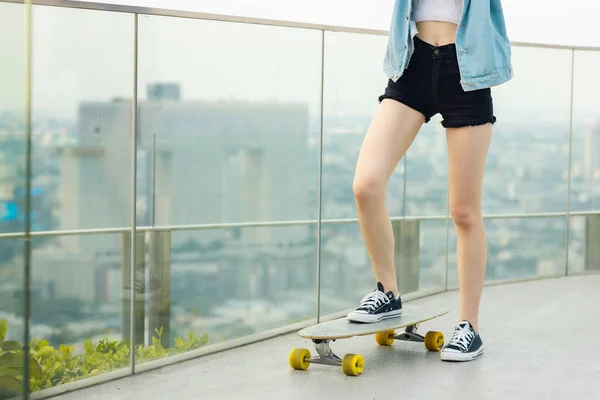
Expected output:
{"points": [[80, 310]]}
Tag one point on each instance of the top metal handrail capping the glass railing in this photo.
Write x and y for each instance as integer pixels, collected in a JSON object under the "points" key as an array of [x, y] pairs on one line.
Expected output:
{"points": [[163, 12]]}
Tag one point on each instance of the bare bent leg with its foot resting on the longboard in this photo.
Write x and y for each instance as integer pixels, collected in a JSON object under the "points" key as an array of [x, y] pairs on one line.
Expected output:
{"points": [[392, 131]]}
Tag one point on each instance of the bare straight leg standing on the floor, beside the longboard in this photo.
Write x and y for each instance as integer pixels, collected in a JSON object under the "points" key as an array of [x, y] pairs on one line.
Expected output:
{"points": [[467, 153]]}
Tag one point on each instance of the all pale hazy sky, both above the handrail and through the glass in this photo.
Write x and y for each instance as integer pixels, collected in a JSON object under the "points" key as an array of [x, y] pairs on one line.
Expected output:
{"points": [[82, 55]]}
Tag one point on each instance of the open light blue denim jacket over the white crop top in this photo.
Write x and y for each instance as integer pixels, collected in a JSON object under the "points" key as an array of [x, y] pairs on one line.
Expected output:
{"points": [[482, 45]]}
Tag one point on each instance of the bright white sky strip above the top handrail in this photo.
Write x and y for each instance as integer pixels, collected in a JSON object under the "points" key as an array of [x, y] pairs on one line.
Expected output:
{"points": [[544, 21]]}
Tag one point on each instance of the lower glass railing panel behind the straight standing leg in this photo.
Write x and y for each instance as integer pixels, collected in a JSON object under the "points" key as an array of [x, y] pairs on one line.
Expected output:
{"points": [[518, 248]]}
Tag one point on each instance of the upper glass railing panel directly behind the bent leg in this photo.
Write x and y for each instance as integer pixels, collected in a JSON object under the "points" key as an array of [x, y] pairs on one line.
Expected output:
{"points": [[353, 82]]}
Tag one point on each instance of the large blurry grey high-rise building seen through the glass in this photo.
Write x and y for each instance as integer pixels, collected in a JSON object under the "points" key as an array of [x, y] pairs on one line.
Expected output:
{"points": [[209, 163]]}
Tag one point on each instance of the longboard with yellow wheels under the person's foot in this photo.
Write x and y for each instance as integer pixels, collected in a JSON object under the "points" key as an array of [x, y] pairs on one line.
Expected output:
{"points": [[384, 331]]}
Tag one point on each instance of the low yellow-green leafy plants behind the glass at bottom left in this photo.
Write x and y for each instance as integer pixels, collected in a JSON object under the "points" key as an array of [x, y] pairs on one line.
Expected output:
{"points": [[51, 367]]}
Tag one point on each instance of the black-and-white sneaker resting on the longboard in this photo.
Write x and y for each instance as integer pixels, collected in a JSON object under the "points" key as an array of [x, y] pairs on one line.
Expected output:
{"points": [[376, 306]]}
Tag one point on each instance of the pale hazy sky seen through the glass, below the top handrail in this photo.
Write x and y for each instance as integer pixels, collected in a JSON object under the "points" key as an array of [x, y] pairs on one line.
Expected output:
{"points": [[70, 68]]}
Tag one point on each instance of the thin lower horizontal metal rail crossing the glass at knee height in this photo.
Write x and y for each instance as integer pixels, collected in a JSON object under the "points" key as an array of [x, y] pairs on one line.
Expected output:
{"points": [[275, 224]]}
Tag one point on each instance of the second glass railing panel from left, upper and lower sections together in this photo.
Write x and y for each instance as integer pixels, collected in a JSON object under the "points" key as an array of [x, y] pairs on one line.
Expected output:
{"points": [[81, 179]]}
